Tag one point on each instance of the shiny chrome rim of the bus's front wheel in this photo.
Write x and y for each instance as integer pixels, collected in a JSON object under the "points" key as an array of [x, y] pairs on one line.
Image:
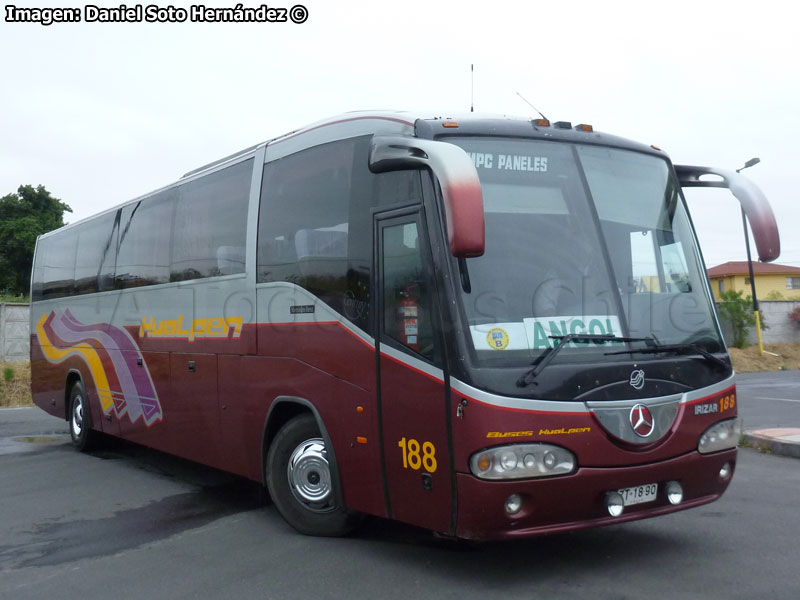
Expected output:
{"points": [[310, 476]]}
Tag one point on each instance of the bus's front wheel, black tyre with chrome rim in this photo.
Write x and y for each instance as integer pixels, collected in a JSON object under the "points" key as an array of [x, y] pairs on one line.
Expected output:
{"points": [[305, 494]]}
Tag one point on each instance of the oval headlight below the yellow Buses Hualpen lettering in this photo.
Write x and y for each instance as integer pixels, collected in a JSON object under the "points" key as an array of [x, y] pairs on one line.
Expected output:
{"points": [[522, 461]]}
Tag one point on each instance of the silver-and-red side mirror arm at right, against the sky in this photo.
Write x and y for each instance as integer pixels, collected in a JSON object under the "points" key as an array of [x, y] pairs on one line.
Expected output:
{"points": [[753, 201]]}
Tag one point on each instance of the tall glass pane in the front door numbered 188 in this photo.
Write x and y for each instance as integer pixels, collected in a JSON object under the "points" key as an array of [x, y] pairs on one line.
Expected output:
{"points": [[406, 299]]}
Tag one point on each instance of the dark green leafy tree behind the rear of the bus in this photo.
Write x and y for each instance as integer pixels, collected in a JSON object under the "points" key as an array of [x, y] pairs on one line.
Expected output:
{"points": [[24, 216]]}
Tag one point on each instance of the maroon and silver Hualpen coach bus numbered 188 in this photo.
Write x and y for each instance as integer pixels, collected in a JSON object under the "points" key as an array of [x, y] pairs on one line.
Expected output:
{"points": [[488, 327]]}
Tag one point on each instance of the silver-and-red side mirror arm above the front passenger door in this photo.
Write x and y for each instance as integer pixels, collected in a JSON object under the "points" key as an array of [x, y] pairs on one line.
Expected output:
{"points": [[461, 188]]}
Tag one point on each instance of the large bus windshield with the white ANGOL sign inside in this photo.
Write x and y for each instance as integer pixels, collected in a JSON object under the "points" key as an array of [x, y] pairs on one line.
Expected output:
{"points": [[581, 240]]}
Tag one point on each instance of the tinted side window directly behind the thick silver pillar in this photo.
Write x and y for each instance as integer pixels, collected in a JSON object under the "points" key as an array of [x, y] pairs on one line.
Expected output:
{"points": [[211, 224]]}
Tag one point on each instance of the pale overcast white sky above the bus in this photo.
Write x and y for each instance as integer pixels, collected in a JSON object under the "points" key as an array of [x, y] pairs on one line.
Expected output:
{"points": [[100, 113]]}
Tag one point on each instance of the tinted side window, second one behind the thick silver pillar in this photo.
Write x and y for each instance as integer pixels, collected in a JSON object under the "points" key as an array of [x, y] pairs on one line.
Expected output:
{"points": [[144, 241]]}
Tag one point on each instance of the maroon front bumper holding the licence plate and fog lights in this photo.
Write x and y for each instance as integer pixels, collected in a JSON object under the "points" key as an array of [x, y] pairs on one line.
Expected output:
{"points": [[577, 501]]}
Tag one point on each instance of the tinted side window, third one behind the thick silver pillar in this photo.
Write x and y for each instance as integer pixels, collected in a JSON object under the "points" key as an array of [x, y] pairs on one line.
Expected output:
{"points": [[95, 247]]}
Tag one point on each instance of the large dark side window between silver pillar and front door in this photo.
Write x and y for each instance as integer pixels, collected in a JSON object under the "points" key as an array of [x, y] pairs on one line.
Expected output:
{"points": [[315, 222]]}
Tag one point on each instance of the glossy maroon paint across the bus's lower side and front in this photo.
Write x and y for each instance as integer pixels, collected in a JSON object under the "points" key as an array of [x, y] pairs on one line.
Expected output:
{"points": [[216, 415]]}
